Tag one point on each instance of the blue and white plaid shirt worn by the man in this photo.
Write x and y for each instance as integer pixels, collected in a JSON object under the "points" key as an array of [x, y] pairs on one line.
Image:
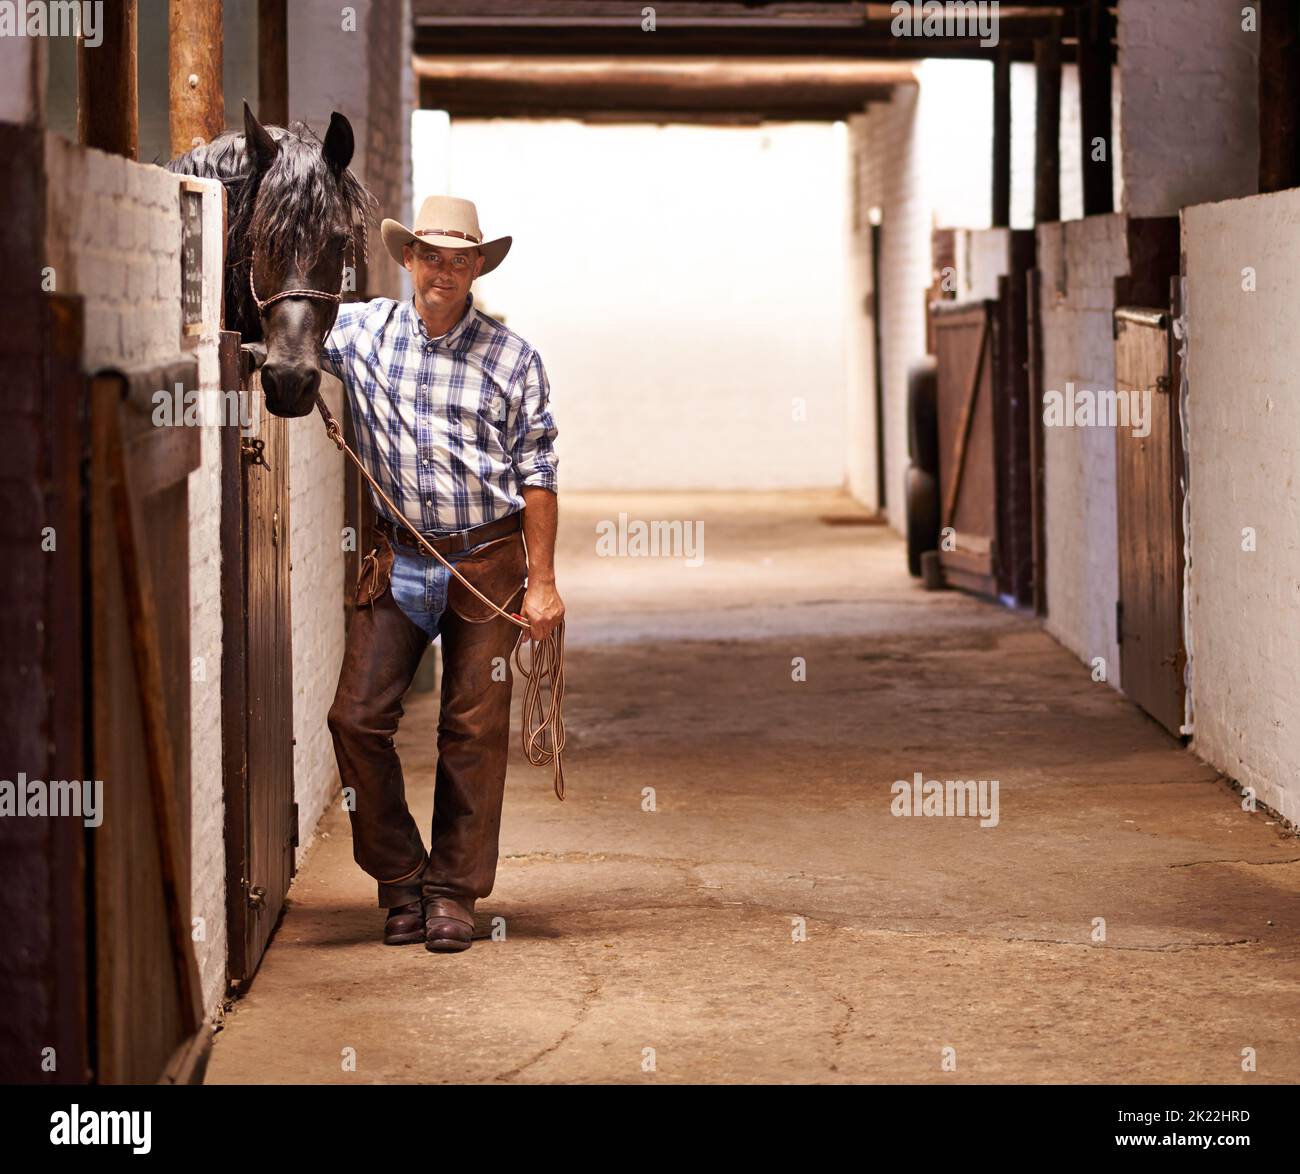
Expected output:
{"points": [[452, 427]]}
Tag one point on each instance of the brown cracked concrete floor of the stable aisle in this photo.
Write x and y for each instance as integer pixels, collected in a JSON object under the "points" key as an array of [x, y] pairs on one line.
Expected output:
{"points": [[674, 930]]}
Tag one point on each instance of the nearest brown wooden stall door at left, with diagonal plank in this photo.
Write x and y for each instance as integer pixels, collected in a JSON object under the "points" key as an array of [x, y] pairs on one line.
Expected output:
{"points": [[149, 1015]]}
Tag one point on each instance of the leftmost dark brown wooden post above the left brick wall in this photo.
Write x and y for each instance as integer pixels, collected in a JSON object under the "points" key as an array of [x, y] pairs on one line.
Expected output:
{"points": [[107, 101]]}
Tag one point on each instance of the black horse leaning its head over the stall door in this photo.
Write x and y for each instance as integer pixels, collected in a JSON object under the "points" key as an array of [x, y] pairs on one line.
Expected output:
{"points": [[296, 218]]}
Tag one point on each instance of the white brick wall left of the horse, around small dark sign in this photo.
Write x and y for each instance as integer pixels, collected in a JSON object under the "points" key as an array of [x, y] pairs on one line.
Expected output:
{"points": [[114, 237]]}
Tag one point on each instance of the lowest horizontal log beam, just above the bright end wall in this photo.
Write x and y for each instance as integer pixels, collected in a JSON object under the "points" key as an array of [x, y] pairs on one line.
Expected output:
{"points": [[655, 88]]}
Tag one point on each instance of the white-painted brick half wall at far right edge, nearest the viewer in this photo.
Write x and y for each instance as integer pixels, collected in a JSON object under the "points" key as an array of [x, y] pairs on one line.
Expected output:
{"points": [[1243, 428]]}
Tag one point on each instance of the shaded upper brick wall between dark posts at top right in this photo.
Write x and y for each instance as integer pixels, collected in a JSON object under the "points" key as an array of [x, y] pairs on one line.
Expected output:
{"points": [[1189, 105]]}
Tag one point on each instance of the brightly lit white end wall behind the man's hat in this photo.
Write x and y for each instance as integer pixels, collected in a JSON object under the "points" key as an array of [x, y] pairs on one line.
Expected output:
{"points": [[684, 287]]}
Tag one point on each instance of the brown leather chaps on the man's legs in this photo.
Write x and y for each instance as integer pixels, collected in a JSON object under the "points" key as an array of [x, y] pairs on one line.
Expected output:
{"points": [[383, 655]]}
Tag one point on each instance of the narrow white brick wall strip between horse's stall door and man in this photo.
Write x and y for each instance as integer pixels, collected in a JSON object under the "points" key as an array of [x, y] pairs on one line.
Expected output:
{"points": [[317, 517]]}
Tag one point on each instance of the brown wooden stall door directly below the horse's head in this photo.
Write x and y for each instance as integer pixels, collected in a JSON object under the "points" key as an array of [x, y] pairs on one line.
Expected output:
{"points": [[262, 818]]}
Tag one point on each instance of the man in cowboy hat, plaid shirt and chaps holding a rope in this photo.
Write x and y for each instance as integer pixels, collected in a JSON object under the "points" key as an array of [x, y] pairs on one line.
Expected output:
{"points": [[452, 417]]}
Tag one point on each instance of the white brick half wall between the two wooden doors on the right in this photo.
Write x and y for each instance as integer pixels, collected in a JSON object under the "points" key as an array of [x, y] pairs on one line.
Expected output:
{"points": [[1080, 262]]}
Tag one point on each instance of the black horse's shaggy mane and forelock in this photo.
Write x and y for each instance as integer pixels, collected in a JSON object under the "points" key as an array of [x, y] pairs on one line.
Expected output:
{"points": [[289, 213]]}
